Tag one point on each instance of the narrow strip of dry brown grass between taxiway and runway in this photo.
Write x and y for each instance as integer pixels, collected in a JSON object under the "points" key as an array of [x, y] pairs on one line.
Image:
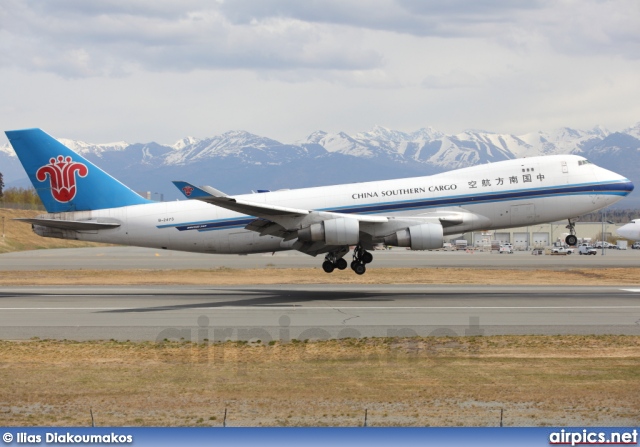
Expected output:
{"points": [[226, 276]]}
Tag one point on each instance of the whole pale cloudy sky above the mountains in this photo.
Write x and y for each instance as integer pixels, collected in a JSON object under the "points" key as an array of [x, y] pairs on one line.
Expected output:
{"points": [[159, 70]]}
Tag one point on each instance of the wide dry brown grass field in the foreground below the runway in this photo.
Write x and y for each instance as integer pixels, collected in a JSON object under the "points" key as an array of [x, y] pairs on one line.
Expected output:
{"points": [[538, 380]]}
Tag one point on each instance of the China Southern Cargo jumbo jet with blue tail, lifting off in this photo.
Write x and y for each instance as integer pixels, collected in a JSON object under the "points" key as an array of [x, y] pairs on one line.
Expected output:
{"points": [[85, 203]]}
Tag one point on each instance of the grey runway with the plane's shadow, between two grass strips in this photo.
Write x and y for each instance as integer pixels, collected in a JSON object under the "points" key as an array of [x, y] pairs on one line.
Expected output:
{"points": [[312, 312]]}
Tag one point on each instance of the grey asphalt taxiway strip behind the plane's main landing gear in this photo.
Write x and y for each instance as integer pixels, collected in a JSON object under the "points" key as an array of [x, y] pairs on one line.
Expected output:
{"points": [[144, 258]]}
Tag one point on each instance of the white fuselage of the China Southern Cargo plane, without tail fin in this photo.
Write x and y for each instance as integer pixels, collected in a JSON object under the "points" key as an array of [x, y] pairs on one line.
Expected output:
{"points": [[499, 195]]}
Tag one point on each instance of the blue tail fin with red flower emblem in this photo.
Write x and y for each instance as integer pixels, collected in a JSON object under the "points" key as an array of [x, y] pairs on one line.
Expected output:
{"points": [[64, 180]]}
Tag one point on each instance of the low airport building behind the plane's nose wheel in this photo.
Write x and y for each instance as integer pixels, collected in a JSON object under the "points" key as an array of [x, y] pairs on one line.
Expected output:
{"points": [[541, 235]]}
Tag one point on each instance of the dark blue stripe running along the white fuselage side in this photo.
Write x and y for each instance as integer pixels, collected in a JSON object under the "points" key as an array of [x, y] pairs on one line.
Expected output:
{"points": [[621, 188]]}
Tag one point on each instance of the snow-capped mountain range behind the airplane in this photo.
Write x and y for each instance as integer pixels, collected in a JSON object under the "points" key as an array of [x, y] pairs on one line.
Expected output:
{"points": [[238, 161]]}
